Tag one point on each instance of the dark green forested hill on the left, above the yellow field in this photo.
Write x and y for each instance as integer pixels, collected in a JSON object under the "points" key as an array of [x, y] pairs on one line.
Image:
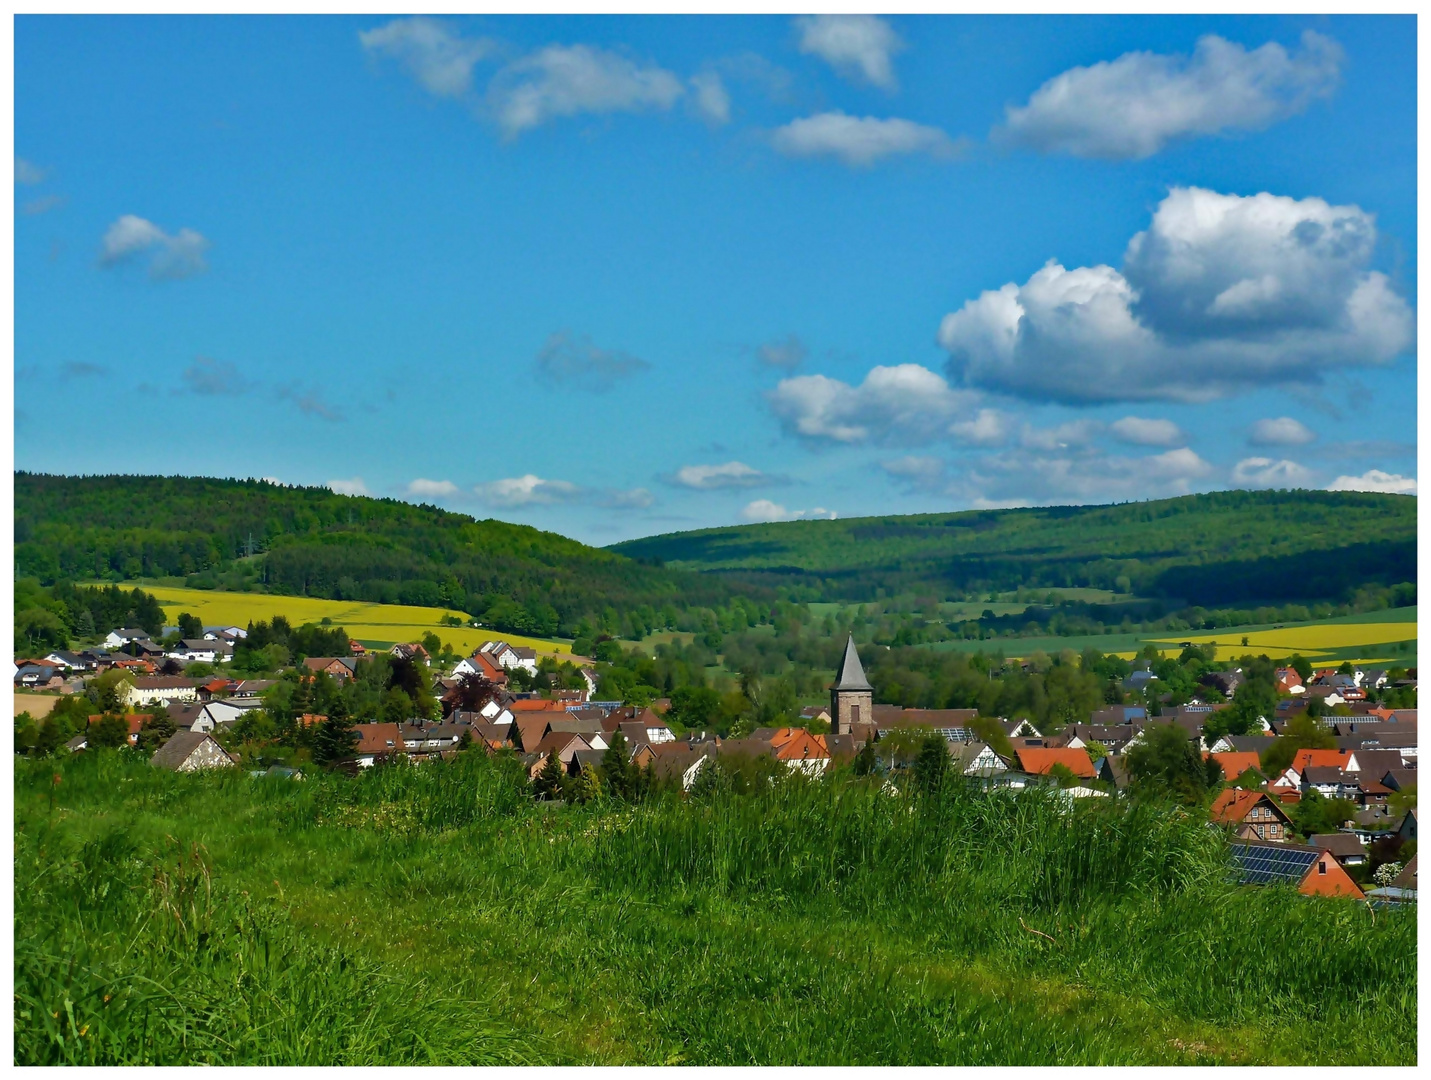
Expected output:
{"points": [[310, 541]]}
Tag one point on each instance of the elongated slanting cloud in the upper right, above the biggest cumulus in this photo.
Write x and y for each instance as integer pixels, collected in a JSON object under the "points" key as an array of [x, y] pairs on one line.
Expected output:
{"points": [[1138, 104]]}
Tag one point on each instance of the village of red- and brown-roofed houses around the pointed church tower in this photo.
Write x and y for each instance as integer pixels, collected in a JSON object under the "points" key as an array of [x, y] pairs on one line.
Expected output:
{"points": [[1366, 766]]}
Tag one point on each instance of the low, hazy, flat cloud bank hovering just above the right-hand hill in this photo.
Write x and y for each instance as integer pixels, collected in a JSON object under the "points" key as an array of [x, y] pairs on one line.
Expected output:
{"points": [[1027, 478]]}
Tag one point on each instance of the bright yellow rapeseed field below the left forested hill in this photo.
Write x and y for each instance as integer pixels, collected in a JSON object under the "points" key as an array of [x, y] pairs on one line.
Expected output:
{"points": [[367, 623]]}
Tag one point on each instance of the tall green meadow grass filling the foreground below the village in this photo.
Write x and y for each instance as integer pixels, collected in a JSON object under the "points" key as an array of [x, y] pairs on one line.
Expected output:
{"points": [[433, 916]]}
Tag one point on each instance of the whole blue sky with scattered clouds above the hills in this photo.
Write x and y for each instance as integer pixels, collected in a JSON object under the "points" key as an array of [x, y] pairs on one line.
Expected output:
{"points": [[620, 277]]}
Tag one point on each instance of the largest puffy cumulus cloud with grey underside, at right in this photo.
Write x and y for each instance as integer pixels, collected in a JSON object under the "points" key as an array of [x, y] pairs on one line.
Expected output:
{"points": [[1218, 295]]}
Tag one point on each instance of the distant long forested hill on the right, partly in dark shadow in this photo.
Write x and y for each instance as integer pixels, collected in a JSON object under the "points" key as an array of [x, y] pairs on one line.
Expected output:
{"points": [[1220, 549]]}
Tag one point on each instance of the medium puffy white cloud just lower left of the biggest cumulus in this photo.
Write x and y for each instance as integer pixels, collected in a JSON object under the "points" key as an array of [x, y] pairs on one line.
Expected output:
{"points": [[905, 404]]}
